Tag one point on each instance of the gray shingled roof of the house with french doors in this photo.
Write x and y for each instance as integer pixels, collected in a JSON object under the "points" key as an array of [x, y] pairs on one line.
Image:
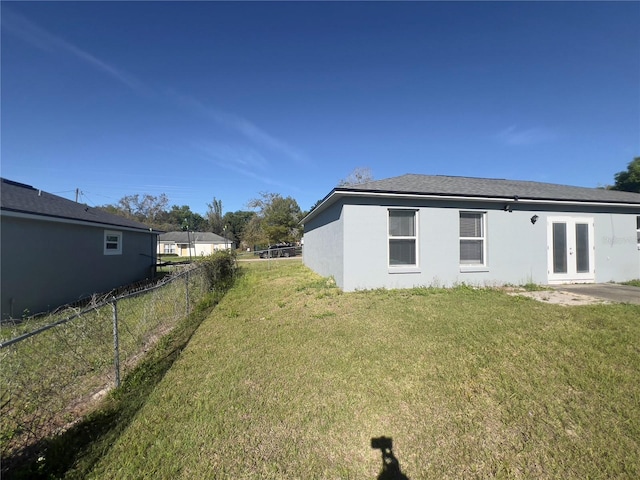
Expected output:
{"points": [[491, 188]]}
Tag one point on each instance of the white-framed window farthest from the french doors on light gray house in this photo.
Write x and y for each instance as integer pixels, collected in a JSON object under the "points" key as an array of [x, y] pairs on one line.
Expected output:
{"points": [[403, 238]]}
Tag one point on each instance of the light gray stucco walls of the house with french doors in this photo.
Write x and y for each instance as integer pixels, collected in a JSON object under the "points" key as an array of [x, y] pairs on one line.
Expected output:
{"points": [[350, 241]]}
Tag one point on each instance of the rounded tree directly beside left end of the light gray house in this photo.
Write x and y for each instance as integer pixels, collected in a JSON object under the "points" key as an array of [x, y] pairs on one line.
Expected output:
{"points": [[278, 217]]}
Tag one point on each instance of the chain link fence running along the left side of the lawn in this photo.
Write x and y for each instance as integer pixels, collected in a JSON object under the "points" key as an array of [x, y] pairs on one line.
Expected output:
{"points": [[54, 369]]}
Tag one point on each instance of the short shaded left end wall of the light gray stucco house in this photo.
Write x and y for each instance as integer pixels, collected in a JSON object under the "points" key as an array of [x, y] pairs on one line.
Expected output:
{"points": [[324, 244]]}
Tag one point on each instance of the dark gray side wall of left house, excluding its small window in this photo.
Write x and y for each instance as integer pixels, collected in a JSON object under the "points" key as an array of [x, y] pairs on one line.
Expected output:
{"points": [[46, 264]]}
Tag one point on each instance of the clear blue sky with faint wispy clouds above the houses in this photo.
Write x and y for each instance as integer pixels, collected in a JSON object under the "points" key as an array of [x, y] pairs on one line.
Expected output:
{"points": [[210, 99]]}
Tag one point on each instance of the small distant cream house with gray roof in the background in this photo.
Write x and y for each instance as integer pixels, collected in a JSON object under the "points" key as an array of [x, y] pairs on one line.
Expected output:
{"points": [[195, 244]]}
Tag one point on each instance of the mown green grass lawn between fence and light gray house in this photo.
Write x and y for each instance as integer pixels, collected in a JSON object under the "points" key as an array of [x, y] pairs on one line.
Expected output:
{"points": [[290, 378]]}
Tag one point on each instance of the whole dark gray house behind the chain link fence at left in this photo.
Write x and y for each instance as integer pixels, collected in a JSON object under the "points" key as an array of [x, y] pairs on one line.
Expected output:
{"points": [[55, 251]]}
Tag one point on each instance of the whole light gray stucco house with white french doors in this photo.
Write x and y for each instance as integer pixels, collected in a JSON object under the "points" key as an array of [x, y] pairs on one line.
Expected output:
{"points": [[421, 230]]}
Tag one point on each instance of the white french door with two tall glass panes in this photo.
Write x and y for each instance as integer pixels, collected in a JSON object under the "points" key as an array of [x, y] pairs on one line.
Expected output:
{"points": [[570, 249]]}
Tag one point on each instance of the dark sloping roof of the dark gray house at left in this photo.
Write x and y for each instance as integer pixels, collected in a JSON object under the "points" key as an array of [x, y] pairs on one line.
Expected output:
{"points": [[24, 199]]}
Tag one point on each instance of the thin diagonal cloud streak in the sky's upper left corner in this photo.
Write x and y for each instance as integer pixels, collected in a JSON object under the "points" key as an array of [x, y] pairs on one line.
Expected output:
{"points": [[31, 33]]}
